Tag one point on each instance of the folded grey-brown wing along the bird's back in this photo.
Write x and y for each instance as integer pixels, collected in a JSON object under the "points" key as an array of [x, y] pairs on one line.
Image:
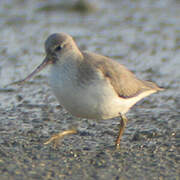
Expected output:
{"points": [[124, 82]]}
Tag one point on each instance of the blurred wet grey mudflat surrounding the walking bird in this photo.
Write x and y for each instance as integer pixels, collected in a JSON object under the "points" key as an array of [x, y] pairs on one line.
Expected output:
{"points": [[144, 35]]}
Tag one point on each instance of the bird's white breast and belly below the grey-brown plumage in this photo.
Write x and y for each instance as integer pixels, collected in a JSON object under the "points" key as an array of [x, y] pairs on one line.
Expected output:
{"points": [[97, 100]]}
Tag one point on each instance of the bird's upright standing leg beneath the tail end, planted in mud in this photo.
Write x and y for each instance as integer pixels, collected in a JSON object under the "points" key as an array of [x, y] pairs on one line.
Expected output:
{"points": [[121, 130]]}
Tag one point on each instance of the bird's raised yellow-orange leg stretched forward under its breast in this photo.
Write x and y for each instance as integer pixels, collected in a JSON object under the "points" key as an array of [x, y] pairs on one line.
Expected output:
{"points": [[58, 136]]}
